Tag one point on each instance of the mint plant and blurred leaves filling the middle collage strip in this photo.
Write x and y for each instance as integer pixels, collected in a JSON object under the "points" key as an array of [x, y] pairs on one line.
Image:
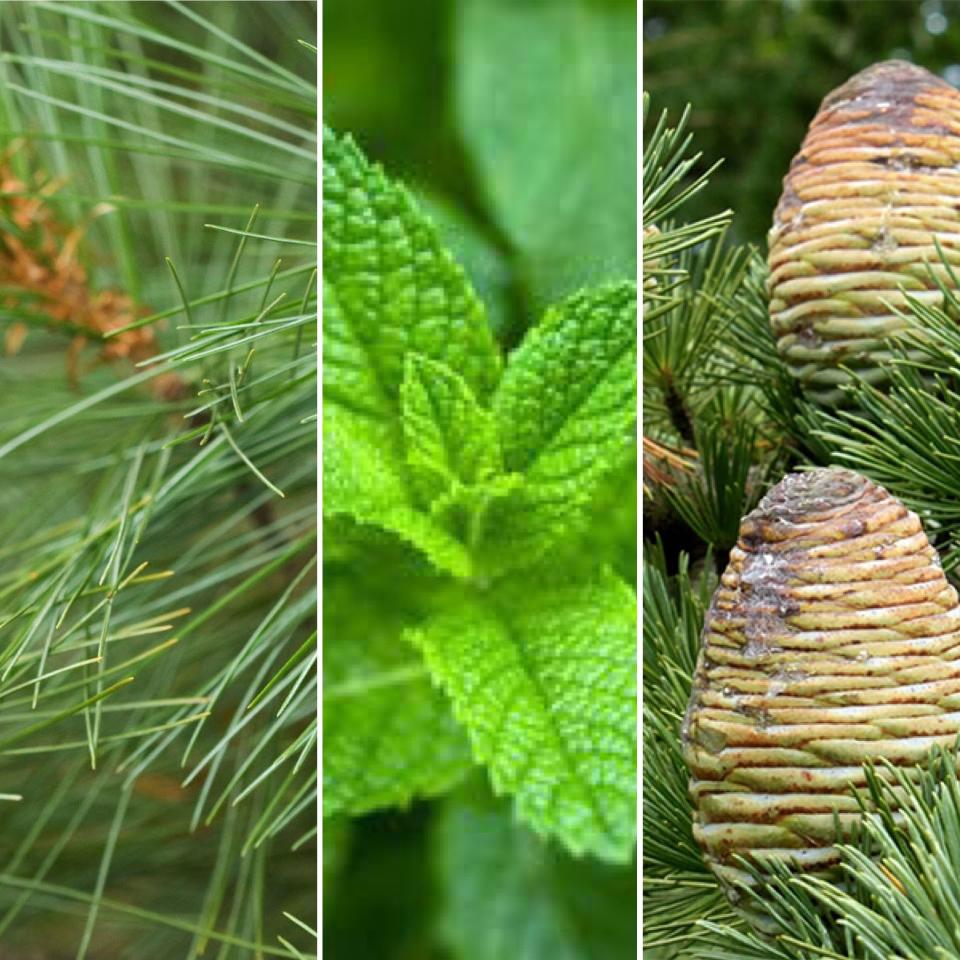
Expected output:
{"points": [[479, 470]]}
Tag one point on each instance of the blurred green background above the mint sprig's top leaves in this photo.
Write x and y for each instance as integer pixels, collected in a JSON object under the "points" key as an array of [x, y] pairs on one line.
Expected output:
{"points": [[515, 123]]}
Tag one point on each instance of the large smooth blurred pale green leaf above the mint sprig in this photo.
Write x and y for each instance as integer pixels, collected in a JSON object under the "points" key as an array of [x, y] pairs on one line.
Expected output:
{"points": [[547, 105]]}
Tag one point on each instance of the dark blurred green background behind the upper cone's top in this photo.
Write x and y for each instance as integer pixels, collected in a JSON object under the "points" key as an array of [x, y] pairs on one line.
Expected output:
{"points": [[755, 72]]}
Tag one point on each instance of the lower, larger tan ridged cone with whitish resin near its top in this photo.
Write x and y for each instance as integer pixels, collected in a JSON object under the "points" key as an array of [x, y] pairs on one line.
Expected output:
{"points": [[833, 638]]}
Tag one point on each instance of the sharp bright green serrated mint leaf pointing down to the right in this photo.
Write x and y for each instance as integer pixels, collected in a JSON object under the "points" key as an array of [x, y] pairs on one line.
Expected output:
{"points": [[544, 679]]}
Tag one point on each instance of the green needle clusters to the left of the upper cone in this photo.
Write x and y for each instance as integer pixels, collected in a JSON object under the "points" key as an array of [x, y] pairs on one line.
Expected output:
{"points": [[708, 431]]}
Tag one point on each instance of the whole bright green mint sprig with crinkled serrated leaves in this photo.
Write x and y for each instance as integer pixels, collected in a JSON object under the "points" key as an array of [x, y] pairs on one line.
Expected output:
{"points": [[482, 474]]}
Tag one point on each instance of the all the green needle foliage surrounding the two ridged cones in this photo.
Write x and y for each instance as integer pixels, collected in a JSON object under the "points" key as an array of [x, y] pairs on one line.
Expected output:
{"points": [[723, 420]]}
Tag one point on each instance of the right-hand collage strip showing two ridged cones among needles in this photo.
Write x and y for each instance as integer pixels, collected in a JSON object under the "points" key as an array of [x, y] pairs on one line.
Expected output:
{"points": [[801, 485]]}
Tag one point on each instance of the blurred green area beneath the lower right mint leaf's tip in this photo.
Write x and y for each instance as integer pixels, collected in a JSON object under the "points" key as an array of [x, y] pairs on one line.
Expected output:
{"points": [[508, 894]]}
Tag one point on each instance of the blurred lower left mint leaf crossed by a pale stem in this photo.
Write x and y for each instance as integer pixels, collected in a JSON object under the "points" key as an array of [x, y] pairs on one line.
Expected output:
{"points": [[388, 734]]}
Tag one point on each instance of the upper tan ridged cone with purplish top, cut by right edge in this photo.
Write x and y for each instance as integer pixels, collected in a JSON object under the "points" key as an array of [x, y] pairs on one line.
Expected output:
{"points": [[876, 182]]}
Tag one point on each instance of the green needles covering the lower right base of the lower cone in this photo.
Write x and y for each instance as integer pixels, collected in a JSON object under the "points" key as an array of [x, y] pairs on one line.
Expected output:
{"points": [[901, 890]]}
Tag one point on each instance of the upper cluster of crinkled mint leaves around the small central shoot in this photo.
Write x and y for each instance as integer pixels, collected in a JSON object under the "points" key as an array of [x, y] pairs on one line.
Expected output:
{"points": [[520, 473]]}
